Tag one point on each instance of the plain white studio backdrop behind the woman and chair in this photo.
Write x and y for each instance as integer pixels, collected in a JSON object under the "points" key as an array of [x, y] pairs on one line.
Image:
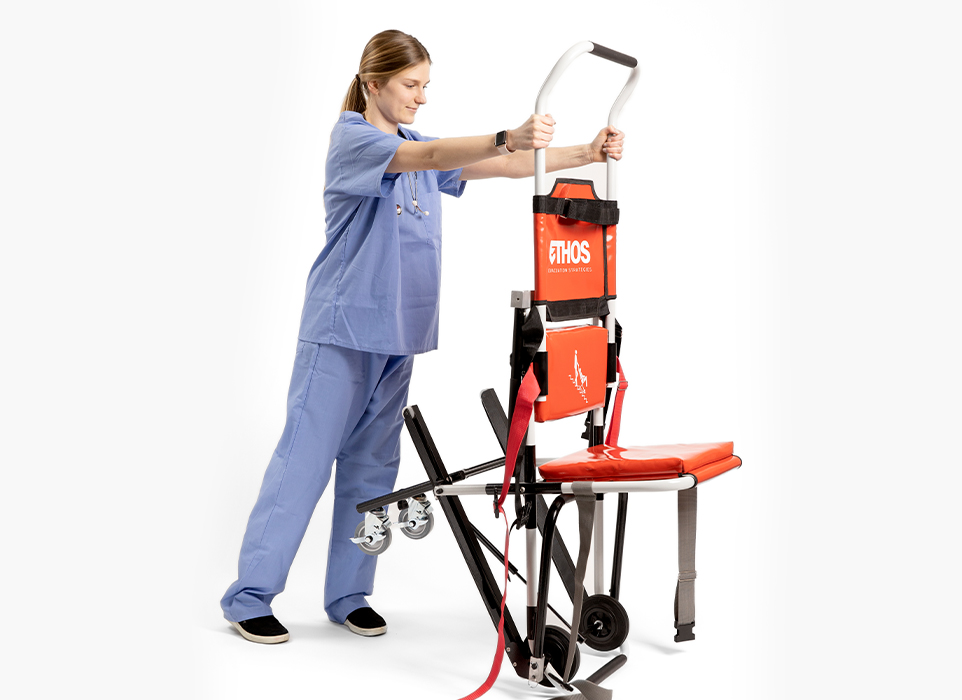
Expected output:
{"points": [[787, 280]]}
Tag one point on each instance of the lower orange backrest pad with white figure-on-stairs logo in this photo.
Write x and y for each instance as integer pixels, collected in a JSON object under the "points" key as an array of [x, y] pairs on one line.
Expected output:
{"points": [[577, 369]]}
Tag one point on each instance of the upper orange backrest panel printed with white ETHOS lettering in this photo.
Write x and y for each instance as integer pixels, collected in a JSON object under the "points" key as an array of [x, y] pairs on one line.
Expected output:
{"points": [[569, 254]]}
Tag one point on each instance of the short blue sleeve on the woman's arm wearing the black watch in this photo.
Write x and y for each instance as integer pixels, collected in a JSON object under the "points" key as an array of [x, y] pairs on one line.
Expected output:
{"points": [[362, 153]]}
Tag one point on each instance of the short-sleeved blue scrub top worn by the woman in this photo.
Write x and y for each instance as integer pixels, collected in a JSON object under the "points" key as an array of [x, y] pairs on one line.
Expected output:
{"points": [[376, 284]]}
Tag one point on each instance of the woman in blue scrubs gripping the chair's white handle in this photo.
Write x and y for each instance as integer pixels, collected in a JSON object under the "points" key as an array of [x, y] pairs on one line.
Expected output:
{"points": [[371, 305]]}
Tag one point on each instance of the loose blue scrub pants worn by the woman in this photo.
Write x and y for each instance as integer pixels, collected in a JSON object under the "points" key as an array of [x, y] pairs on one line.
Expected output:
{"points": [[343, 405]]}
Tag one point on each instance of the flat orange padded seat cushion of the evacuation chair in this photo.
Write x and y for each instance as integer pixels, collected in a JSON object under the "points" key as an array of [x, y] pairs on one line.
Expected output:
{"points": [[606, 463]]}
